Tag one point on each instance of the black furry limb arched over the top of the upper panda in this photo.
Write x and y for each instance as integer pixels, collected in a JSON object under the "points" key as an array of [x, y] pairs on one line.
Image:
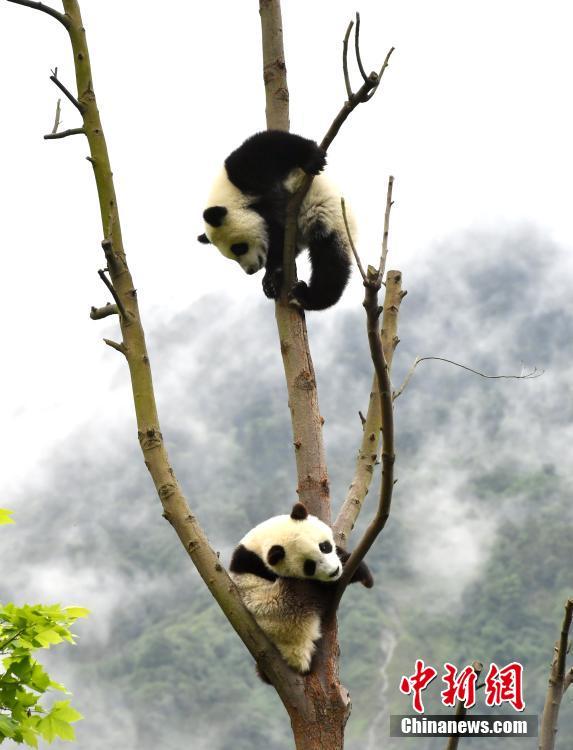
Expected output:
{"points": [[265, 159]]}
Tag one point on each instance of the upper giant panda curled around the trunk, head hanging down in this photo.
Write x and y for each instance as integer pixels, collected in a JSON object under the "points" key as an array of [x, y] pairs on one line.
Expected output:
{"points": [[246, 215]]}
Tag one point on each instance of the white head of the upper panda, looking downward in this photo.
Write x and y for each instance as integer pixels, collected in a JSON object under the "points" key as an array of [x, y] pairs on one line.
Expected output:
{"points": [[238, 232]]}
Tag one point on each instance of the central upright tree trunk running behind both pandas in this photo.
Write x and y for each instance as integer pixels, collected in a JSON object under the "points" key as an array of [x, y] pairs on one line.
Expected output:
{"points": [[321, 724]]}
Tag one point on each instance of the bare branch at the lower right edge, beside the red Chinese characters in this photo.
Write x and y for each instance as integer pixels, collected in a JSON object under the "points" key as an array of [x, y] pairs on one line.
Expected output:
{"points": [[557, 685]]}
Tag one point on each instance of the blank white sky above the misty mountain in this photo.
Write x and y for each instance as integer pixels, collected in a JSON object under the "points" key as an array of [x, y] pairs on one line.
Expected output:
{"points": [[474, 120]]}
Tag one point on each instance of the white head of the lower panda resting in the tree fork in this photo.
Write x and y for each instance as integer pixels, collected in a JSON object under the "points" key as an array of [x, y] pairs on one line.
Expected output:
{"points": [[296, 547]]}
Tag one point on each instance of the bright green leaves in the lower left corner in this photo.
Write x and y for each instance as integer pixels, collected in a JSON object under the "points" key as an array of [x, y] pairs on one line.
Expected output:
{"points": [[23, 630]]}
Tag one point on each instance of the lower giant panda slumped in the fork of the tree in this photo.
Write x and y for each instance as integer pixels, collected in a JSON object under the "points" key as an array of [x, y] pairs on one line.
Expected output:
{"points": [[269, 567]]}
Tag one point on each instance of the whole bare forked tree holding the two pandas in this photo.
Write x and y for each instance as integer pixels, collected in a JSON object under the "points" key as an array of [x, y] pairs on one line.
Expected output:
{"points": [[317, 705]]}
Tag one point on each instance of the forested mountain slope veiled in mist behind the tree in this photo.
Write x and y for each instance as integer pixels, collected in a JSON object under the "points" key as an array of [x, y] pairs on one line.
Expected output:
{"points": [[475, 562]]}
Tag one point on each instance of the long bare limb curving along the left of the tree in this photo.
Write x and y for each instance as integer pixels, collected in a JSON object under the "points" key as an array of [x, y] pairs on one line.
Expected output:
{"points": [[176, 509]]}
